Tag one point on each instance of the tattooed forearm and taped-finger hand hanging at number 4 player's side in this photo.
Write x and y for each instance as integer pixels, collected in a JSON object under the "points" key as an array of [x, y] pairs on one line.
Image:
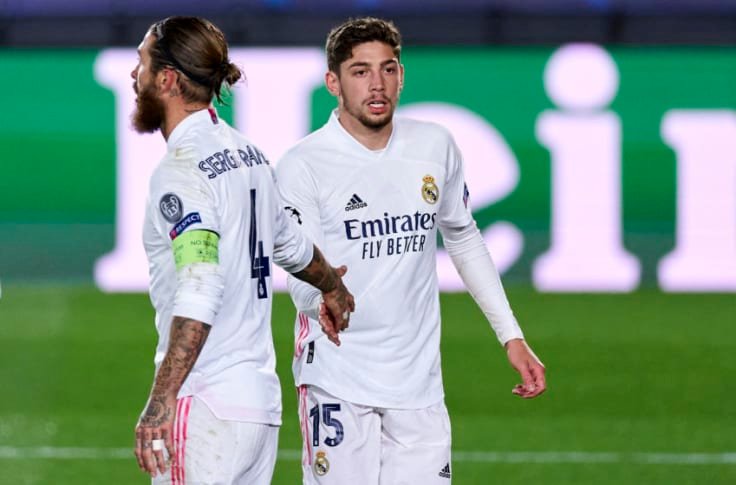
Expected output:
{"points": [[186, 340]]}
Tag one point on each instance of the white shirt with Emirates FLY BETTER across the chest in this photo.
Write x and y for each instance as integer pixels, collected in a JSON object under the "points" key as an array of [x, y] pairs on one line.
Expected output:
{"points": [[378, 213]]}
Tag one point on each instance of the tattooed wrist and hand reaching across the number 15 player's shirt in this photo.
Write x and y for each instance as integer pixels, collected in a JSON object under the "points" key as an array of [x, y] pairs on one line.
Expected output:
{"points": [[337, 300]]}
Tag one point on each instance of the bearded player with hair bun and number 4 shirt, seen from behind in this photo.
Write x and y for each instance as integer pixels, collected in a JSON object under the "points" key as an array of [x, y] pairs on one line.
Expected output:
{"points": [[213, 225]]}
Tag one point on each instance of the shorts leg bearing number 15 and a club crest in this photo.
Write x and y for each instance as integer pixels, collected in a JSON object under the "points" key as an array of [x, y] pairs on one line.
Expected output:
{"points": [[341, 440]]}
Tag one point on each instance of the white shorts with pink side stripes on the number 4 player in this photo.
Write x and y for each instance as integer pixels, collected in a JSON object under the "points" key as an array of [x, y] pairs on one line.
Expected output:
{"points": [[212, 451]]}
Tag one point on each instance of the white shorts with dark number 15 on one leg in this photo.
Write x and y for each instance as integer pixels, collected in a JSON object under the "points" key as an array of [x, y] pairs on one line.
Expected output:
{"points": [[362, 445]]}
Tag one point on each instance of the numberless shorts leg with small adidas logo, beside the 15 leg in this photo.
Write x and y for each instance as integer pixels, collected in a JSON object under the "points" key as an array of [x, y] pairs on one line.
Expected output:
{"points": [[416, 446]]}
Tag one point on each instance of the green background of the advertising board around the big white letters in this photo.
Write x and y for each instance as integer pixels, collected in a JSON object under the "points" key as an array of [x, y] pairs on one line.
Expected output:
{"points": [[57, 192]]}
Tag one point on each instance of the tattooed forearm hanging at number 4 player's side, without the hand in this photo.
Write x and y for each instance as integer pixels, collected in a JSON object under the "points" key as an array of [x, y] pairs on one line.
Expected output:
{"points": [[185, 344]]}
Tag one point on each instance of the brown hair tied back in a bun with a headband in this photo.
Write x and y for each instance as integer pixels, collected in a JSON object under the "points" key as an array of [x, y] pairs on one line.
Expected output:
{"points": [[197, 49]]}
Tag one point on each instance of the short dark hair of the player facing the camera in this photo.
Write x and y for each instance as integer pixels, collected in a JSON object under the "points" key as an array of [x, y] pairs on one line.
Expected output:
{"points": [[355, 31]]}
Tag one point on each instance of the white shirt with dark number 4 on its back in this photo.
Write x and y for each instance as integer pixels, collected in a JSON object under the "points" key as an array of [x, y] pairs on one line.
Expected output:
{"points": [[213, 179]]}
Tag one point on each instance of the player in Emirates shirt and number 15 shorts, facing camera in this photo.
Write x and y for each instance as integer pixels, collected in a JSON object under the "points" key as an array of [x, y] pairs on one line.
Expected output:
{"points": [[373, 189]]}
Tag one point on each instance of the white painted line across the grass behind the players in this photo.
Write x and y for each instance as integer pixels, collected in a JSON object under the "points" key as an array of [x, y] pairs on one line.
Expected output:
{"points": [[549, 457]]}
